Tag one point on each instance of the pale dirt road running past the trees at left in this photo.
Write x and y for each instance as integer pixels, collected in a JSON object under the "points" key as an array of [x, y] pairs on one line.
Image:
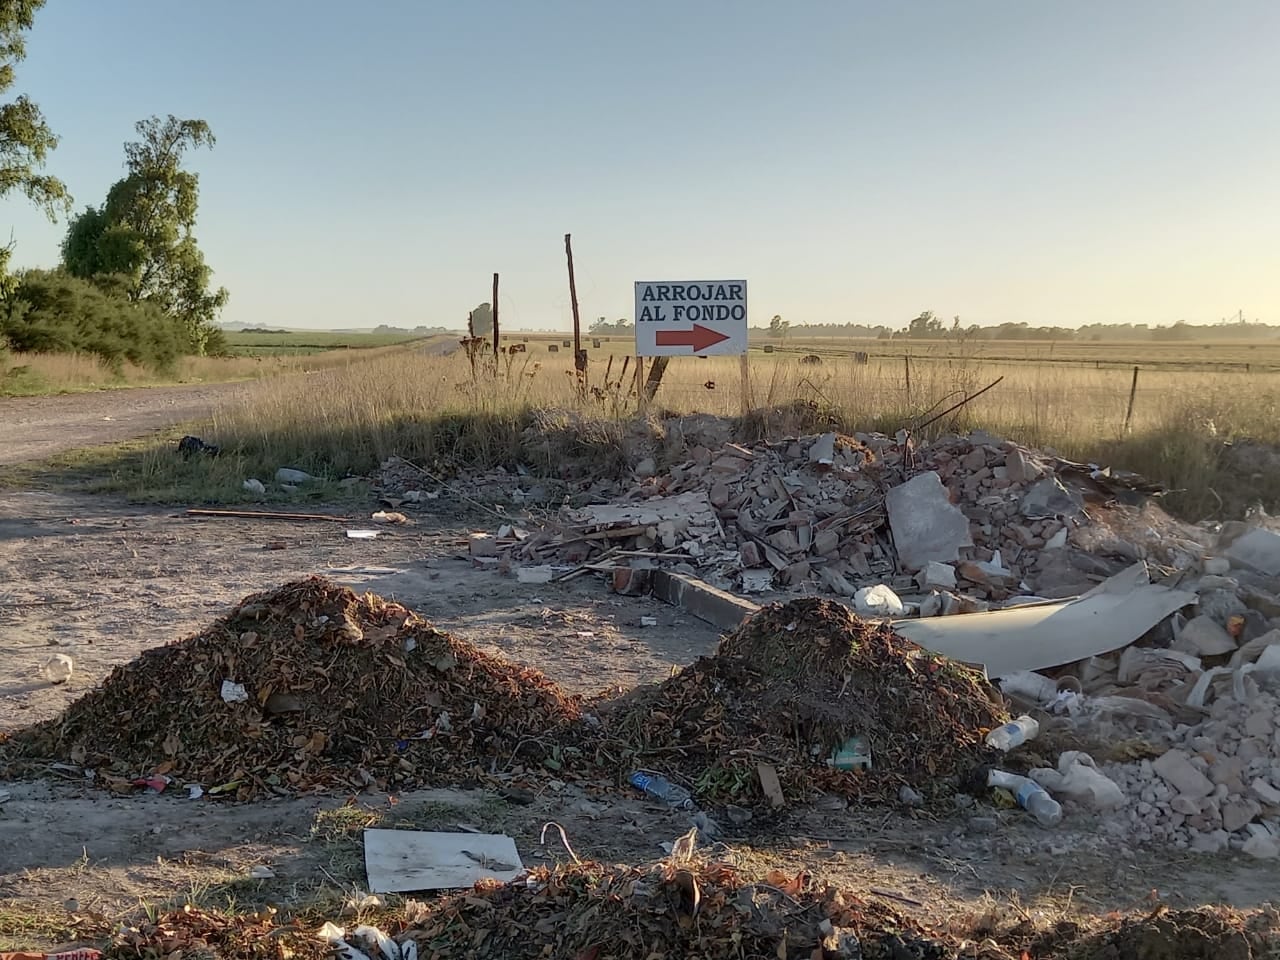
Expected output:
{"points": [[34, 428]]}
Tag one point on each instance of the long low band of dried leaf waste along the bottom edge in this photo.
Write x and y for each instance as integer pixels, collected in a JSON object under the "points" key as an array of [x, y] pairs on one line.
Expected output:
{"points": [[589, 912]]}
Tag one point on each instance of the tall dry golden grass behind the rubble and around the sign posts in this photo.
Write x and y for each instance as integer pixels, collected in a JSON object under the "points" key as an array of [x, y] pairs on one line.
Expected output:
{"points": [[441, 413]]}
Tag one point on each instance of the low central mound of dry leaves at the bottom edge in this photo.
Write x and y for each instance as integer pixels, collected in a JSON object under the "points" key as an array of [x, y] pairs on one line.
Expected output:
{"points": [[589, 912]]}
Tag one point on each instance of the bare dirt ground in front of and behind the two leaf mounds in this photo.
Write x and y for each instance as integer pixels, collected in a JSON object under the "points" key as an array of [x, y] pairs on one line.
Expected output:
{"points": [[103, 580]]}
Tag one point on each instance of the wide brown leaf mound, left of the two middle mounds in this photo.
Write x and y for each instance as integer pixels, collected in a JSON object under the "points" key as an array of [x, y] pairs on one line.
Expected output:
{"points": [[310, 685]]}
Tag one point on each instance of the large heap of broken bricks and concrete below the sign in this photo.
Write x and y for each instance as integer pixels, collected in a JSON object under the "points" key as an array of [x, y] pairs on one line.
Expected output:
{"points": [[959, 524]]}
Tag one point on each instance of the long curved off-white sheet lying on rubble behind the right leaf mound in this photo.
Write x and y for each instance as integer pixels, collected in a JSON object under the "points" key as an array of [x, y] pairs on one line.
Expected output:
{"points": [[1113, 615]]}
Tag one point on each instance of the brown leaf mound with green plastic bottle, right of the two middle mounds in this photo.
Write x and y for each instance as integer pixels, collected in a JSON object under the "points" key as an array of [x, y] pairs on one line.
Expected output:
{"points": [[789, 689]]}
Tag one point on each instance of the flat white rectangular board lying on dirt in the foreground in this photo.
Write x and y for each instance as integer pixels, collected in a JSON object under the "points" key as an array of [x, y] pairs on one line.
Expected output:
{"points": [[403, 861]]}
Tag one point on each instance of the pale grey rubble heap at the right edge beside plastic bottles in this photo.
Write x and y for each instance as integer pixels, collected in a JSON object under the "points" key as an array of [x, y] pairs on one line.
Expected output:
{"points": [[1204, 692]]}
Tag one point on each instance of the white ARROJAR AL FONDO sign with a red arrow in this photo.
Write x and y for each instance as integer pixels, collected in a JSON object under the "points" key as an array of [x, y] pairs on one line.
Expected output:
{"points": [[696, 318]]}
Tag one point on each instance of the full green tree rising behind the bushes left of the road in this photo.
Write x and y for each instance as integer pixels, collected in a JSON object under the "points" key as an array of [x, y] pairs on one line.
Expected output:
{"points": [[145, 231]]}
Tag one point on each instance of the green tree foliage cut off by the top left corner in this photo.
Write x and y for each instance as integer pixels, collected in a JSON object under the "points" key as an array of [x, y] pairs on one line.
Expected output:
{"points": [[26, 140]]}
